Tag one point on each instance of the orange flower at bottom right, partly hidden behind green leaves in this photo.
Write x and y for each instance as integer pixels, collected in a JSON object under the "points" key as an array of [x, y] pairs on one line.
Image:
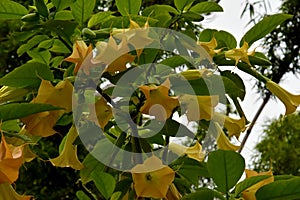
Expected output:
{"points": [[249, 193]]}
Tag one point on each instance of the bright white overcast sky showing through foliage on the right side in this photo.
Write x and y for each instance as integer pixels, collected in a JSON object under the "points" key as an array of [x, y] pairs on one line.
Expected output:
{"points": [[230, 21]]}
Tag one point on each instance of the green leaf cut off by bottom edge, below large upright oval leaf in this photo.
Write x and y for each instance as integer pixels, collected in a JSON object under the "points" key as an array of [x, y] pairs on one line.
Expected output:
{"points": [[203, 193]]}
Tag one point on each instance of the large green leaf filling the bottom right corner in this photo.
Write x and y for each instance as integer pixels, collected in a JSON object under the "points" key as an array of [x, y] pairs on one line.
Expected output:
{"points": [[280, 190]]}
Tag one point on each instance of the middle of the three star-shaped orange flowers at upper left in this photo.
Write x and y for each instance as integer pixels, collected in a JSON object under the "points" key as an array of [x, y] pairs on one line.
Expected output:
{"points": [[113, 54]]}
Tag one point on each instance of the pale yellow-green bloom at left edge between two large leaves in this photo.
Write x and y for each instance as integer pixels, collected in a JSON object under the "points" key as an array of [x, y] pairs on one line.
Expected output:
{"points": [[8, 93]]}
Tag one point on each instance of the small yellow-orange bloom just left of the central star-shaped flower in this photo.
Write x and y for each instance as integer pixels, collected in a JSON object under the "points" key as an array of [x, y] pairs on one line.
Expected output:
{"points": [[100, 113]]}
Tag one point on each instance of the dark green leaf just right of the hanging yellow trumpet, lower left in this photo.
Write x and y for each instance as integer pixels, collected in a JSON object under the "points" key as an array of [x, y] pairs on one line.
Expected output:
{"points": [[90, 164]]}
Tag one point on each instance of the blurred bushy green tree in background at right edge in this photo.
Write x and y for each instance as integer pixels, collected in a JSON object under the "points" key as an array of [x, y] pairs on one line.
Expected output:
{"points": [[279, 148]]}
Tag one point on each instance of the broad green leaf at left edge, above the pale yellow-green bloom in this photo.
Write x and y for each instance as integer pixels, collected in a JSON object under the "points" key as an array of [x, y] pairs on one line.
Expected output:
{"points": [[27, 75]]}
